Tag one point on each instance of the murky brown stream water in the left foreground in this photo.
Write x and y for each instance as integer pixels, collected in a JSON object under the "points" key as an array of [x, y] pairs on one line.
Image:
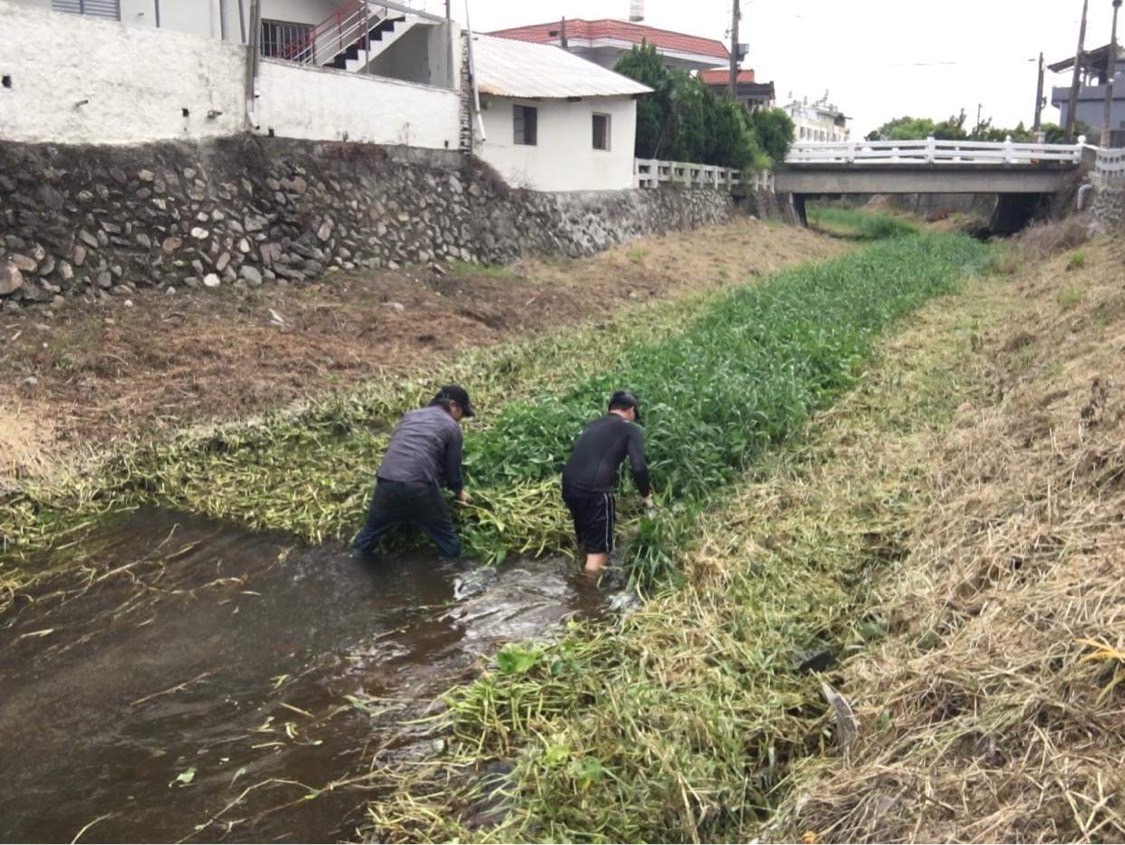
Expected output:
{"points": [[208, 684]]}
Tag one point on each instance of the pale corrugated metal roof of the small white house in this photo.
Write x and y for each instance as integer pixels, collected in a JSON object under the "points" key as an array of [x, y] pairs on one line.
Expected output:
{"points": [[508, 68]]}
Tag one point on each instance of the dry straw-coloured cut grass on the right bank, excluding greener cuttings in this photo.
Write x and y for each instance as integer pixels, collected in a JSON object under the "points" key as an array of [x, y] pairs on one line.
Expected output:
{"points": [[995, 712]]}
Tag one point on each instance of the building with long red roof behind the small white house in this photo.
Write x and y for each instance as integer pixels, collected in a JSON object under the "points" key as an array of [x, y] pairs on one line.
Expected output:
{"points": [[605, 42]]}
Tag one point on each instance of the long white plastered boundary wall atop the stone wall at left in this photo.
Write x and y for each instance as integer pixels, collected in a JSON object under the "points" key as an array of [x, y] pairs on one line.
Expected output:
{"points": [[131, 85]]}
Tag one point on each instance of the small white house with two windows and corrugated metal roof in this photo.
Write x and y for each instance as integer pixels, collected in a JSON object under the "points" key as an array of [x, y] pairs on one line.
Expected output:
{"points": [[552, 121]]}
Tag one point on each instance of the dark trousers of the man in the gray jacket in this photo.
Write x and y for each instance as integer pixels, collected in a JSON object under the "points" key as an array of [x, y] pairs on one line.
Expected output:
{"points": [[409, 504]]}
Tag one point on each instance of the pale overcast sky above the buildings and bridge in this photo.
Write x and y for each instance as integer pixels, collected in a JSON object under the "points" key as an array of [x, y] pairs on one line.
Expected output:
{"points": [[878, 59]]}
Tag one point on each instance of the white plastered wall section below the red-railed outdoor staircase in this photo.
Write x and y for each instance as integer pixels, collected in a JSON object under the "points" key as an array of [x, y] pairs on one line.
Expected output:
{"points": [[301, 103]]}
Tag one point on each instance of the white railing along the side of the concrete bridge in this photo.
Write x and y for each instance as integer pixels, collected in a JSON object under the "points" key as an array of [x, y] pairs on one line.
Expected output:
{"points": [[931, 151]]}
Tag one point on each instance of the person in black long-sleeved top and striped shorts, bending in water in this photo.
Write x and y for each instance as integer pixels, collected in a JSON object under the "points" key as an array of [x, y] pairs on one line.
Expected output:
{"points": [[592, 471]]}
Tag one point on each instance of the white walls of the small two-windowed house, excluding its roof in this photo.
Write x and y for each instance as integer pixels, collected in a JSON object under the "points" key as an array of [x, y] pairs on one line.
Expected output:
{"points": [[564, 158]]}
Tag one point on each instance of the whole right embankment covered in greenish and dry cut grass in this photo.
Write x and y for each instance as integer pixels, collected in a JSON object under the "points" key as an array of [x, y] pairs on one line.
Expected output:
{"points": [[976, 586]]}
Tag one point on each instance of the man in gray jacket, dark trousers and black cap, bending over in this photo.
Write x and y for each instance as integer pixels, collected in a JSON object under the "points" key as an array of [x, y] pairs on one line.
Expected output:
{"points": [[424, 456]]}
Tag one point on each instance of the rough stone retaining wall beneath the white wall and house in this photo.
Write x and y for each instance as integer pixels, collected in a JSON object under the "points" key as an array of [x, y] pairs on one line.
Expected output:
{"points": [[94, 222]]}
